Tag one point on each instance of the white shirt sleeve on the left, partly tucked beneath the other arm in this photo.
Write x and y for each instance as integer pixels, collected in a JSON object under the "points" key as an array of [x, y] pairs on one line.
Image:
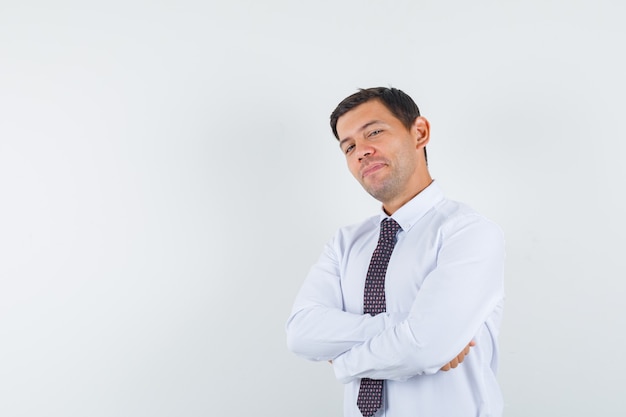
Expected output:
{"points": [[318, 327]]}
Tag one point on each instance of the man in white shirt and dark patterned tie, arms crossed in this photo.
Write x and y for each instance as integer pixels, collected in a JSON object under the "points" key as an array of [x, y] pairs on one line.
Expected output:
{"points": [[394, 299]]}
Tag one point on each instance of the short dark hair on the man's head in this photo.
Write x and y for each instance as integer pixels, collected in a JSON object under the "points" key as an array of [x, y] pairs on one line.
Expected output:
{"points": [[400, 104]]}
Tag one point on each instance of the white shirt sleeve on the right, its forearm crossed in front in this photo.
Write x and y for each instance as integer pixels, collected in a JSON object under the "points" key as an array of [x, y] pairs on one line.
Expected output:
{"points": [[455, 300]]}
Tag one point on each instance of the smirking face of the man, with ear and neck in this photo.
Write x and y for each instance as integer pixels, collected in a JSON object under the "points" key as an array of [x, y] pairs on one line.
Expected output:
{"points": [[382, 154]]}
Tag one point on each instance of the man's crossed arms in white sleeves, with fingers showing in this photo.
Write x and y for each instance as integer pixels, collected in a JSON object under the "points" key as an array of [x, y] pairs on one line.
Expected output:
{"points": [[454, 301]]}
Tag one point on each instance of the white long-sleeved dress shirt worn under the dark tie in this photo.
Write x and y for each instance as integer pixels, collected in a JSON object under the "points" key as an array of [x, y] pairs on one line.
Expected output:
{"points": [[444, 288]]}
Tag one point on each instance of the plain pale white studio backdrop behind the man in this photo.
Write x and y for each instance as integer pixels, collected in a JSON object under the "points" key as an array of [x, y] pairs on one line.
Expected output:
{"points": [[168, 176]]}
